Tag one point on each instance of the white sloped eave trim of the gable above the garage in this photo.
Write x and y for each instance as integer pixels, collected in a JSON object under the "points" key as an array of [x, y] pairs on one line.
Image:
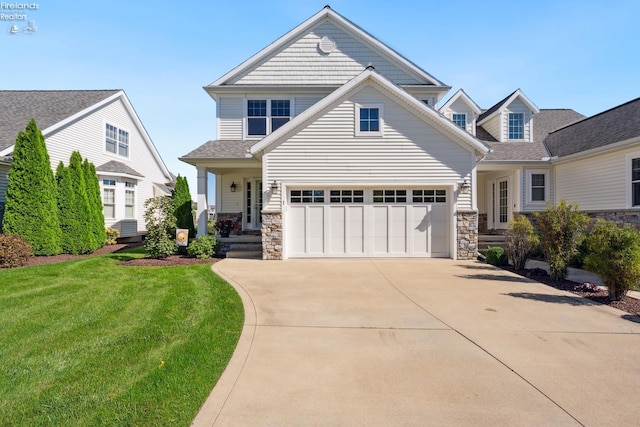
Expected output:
{"points": [[366, 77]]}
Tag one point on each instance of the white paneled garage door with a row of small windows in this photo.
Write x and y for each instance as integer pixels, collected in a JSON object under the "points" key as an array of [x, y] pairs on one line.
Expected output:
{"points": [[367, 223]]}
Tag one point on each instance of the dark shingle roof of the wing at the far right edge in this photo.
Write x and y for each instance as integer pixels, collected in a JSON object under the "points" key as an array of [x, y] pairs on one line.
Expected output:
{"points": [[618, 124]]}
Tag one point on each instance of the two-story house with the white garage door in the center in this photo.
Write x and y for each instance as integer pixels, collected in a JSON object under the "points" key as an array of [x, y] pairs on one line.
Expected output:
{"points": [[331, 144]]}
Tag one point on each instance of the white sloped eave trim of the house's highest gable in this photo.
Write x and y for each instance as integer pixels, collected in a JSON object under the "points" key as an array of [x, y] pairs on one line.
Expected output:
{"points": [[340, 21]]}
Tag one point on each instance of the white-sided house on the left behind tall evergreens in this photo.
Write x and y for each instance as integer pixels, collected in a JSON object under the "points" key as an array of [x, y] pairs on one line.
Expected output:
{"points": [[103, 126]]}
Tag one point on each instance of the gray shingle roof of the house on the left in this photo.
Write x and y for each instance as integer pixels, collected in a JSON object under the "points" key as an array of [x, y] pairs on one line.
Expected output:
{"points": [[48, 107]]}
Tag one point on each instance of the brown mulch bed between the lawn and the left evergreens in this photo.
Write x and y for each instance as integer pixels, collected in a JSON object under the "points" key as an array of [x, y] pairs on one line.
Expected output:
{"points": [[145, 262]]}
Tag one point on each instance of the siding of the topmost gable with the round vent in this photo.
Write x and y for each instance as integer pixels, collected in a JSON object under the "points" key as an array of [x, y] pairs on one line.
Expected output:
{"points": [[302, 62]]}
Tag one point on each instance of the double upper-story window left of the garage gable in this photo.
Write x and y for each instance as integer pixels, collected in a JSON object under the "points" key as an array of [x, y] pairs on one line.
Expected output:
{"points": [[266, 115]]}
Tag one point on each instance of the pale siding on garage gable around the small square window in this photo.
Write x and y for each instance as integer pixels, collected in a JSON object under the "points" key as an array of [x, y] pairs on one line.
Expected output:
{"points": [[411, 152]]}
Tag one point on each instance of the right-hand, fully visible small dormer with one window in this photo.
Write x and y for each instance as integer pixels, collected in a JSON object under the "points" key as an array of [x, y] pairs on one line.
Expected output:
{"points": [[511, 119]]}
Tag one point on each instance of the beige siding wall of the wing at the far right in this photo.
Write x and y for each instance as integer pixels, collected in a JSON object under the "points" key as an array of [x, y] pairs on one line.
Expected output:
{"points": [[597, 183]]}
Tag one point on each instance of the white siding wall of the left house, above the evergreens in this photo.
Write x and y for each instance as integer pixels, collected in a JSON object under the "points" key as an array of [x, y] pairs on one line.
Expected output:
{"points": [[87, 135]]}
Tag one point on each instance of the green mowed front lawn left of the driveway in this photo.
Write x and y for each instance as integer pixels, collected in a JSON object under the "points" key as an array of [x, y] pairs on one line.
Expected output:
{"points": [[89, 342]]}
